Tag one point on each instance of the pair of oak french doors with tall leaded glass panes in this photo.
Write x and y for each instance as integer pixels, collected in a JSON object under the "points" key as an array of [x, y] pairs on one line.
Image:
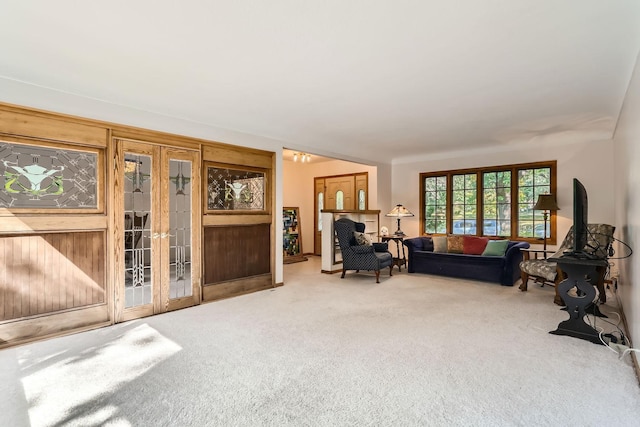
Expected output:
{"points": [[158, 241]]}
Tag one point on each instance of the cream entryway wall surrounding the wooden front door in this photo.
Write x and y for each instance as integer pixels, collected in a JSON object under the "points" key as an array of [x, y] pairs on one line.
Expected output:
{"points": [[298, 191]]}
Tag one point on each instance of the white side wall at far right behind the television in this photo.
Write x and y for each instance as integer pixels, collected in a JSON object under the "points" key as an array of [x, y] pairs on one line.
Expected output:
{"points": [[627, 193]]}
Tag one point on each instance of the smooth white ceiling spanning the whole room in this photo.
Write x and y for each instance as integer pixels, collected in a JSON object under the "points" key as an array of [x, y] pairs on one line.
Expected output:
{"points": [[371, 79]]}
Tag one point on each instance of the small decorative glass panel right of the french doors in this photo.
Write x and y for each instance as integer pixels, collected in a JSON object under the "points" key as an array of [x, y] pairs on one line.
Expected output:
{"points": [[235, 189]]}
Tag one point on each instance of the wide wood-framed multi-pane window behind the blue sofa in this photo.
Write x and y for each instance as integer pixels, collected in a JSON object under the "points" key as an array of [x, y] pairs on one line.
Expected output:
{"points": [[481, 201]]}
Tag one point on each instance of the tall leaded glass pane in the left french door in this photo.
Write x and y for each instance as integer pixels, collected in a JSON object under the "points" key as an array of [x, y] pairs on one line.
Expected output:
{"points": [[137, 230]]}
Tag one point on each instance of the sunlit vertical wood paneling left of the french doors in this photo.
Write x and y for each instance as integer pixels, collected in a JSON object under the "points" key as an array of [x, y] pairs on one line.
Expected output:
{"points": [[51, 272]]}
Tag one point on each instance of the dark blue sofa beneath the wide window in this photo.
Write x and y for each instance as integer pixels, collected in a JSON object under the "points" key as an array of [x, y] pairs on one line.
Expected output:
{"points": [[498, 269]]}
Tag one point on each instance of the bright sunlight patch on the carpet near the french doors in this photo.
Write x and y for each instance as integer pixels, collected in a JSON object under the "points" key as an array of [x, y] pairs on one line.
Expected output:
{"points": [[55, 395]]}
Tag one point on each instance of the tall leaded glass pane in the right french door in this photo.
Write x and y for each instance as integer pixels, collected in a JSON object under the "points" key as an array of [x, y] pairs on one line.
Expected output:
{"points": [[180, 229]]}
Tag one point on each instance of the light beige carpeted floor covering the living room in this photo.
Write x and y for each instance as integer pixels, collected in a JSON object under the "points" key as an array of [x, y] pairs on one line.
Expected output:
{"points": [[321, 351]]}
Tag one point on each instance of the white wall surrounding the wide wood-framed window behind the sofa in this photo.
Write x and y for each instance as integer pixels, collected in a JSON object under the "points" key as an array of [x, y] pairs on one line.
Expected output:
{"points": [[591, 163]]}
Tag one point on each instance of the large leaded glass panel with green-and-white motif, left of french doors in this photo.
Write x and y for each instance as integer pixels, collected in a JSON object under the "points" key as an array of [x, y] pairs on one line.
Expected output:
{"points": [[47, 178]]}
